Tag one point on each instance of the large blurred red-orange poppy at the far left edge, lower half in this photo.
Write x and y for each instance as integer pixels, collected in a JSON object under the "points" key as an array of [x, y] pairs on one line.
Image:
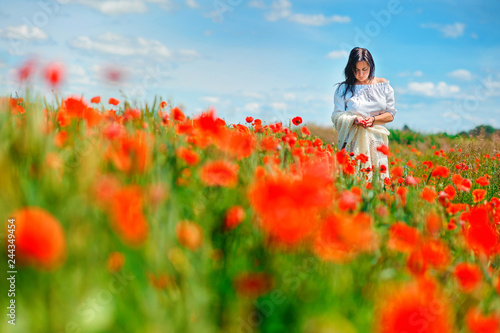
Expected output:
{"points": [[39, 238]]}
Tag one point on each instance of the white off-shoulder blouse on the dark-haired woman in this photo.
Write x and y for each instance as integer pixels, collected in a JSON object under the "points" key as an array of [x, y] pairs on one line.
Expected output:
{"points": [[367, 100]]}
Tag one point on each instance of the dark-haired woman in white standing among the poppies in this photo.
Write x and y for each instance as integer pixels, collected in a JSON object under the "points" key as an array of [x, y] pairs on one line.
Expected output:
{"points": [[363, 104]]}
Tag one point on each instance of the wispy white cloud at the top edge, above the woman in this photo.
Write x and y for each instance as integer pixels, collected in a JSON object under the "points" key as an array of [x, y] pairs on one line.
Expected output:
{"points": [[282, 9]]}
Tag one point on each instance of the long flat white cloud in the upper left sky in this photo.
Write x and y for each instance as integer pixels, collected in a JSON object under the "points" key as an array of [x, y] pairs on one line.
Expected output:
{"points": [[115, 44]]}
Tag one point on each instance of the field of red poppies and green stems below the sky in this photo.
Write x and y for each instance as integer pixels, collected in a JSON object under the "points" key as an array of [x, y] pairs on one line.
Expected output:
{"points": [[143, 219]]}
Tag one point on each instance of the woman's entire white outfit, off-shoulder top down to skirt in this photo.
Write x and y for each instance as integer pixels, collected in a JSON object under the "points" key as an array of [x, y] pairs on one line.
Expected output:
{"points": [[367, 100]]}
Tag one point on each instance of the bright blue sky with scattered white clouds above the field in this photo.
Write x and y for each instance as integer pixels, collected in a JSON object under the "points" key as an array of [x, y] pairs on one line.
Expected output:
{"points": [[272, 60]]}
